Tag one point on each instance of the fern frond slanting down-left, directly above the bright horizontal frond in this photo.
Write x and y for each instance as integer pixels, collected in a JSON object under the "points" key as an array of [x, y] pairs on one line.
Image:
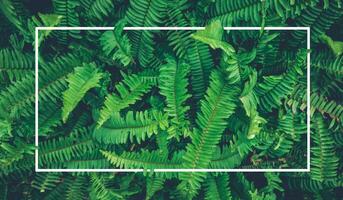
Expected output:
{"points": [[129, 91]]}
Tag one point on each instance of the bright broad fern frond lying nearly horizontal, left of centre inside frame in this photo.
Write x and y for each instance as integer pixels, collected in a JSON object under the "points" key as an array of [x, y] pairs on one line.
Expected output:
{"points": [[134, 127]]}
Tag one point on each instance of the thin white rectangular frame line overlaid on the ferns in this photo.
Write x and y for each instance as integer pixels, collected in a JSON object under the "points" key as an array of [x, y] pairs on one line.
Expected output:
{"points": [[37, 29]]}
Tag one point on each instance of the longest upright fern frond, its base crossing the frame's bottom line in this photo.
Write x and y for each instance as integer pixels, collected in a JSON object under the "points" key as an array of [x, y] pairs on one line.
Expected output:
{"points": [[219, 104]]}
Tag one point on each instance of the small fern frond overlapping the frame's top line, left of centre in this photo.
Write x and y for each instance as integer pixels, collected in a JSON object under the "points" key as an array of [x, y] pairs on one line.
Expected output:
{"points": [[116, 45]]}
